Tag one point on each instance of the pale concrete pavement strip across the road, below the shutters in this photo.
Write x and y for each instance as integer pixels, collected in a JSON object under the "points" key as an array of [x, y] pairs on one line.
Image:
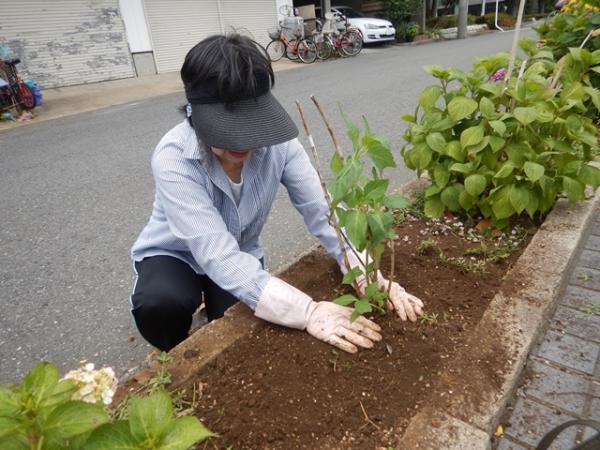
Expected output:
{"points": [[72, 100]]}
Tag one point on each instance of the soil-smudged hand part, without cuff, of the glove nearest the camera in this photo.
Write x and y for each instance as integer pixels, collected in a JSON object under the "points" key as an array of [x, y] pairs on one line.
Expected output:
{"points": [[331, 323]]}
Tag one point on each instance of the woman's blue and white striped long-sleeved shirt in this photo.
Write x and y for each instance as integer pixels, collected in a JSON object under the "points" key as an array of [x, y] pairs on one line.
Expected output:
{"points": [[195, 217]]}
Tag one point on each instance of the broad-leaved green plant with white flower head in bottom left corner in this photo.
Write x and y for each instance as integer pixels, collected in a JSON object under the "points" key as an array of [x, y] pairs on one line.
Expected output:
{"points": [[45, 413]]}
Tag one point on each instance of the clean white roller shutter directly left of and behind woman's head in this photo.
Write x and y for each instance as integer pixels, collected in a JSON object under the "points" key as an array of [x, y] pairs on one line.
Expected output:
{"points": [[178, 25]]}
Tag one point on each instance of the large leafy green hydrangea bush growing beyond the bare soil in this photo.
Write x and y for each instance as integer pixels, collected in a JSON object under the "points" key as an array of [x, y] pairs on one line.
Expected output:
{"points": [[501, 150]]}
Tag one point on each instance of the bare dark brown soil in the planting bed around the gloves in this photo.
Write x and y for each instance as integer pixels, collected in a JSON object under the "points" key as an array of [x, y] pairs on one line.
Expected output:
{"points": [[282, 389]]}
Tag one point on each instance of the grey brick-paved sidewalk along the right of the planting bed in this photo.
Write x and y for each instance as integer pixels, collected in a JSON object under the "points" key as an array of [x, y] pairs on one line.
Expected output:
{"points": [[562, 376]]}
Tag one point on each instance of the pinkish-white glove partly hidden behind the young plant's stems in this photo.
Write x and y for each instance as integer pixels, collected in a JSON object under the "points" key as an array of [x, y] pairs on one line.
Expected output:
{"points": [[407, 306]]}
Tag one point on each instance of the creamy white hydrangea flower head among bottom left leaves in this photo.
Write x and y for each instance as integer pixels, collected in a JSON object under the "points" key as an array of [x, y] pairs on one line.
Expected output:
{"points": [[93, 385]]}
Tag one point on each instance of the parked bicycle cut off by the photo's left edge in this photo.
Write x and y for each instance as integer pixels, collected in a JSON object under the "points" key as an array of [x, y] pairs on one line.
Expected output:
{"points": [[14, 92]]}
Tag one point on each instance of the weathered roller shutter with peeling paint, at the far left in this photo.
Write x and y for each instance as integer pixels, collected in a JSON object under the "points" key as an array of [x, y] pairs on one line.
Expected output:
{"points": [[66, 42]]}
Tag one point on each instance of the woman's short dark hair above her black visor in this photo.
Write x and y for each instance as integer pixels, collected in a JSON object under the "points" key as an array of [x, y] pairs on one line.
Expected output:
{"points": [[235, 62]]}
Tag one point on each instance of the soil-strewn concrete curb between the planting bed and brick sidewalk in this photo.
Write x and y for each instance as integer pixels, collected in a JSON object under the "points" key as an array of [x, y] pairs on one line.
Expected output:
{"points": [[513, 322]]}
